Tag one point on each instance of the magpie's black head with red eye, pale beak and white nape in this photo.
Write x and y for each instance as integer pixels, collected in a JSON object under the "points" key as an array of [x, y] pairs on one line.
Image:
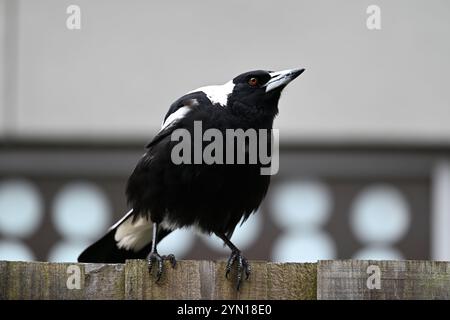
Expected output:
{"points": [[253, 92]]}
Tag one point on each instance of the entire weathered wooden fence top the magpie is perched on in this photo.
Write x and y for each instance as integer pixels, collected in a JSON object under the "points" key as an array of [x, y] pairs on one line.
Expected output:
{"points": [[337, 279]]}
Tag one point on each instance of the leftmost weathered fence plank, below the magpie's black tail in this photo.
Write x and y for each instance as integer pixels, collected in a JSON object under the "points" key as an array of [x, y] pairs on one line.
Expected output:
{"points": [[42, 280]]}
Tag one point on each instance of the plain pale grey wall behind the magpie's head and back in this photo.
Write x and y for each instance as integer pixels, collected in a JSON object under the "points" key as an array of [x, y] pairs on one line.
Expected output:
{"points": [[115, 78]]}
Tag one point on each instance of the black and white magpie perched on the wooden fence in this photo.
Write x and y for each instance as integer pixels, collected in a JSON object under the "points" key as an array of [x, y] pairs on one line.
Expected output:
{"points": [[212, 198]]}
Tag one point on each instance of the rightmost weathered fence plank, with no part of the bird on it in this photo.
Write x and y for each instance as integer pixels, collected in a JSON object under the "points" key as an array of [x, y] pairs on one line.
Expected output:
{"points": [[357, 279]]}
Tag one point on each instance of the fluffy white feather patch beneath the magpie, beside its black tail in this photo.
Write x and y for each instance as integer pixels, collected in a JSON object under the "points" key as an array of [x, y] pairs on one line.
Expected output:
{"points": [[133, 235]]}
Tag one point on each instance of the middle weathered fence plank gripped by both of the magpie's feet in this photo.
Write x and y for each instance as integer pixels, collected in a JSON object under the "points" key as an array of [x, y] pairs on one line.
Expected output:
{"points": [[206, 280]]}
